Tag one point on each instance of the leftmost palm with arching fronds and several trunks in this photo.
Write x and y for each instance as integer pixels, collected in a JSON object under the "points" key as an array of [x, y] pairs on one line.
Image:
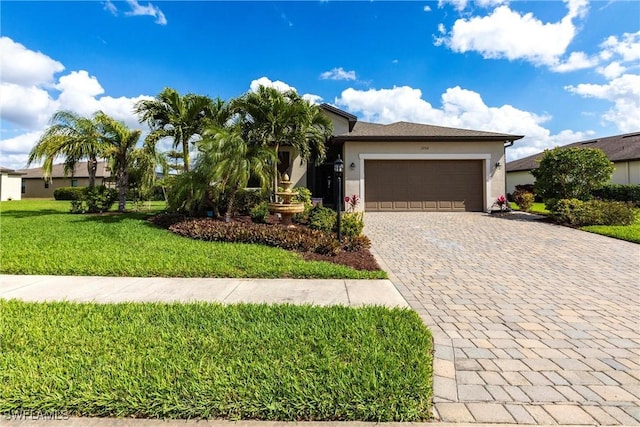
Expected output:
{"points": [[73, 137]]}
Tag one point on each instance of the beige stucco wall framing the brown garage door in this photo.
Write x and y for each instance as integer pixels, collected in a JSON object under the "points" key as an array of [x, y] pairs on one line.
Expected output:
{"points": [[490, 153]]}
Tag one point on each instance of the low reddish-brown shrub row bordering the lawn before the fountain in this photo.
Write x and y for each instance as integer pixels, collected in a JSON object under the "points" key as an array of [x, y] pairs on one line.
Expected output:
{"points": [[297, 239]]}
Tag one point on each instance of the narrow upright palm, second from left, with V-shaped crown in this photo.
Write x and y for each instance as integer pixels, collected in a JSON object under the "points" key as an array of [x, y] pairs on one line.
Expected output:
{"points": [[120, 143]]}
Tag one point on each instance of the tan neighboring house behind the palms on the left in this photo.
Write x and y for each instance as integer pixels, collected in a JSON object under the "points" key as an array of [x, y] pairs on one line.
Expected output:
{"points": [[35, 186]]}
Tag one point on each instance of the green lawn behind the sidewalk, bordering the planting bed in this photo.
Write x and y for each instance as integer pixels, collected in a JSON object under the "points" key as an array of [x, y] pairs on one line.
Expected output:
{"points": [[41, 237]]}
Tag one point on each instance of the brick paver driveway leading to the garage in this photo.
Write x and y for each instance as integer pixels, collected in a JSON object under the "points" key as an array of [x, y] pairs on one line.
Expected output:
{"points": [[533, 322]]}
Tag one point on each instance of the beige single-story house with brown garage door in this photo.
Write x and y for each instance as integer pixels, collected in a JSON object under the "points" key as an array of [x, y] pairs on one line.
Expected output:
{"points": [[408, 166]]}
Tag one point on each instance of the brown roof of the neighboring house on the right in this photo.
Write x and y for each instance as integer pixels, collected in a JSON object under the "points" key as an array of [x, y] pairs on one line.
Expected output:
{"points": [[618, 148]]}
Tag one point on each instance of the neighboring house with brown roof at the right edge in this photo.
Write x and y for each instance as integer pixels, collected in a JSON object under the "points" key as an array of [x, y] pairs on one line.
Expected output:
{"points": [[622, 150]]}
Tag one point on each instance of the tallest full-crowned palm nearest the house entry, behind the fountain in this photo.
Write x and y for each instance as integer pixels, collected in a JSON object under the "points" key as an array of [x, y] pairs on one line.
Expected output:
{"points": [[273, 119]]}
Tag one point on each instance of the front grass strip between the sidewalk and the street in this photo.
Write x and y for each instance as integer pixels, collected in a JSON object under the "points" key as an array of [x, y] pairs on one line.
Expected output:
{"points": [[278, 362]]}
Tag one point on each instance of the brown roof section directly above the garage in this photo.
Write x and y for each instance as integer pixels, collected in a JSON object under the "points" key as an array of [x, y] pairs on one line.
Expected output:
{"points": [[405, 131]]}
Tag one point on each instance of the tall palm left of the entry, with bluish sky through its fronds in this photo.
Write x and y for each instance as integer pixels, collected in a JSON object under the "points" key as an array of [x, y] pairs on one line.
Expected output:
{"points": [[181, 118]]}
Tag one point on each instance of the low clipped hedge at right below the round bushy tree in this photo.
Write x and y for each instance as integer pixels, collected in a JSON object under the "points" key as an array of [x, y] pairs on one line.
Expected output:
{"points": [[593, 212]]}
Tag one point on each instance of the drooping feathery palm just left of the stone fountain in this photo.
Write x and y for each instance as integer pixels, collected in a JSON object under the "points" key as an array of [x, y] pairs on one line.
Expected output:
{"points": [[232, 162]]}
